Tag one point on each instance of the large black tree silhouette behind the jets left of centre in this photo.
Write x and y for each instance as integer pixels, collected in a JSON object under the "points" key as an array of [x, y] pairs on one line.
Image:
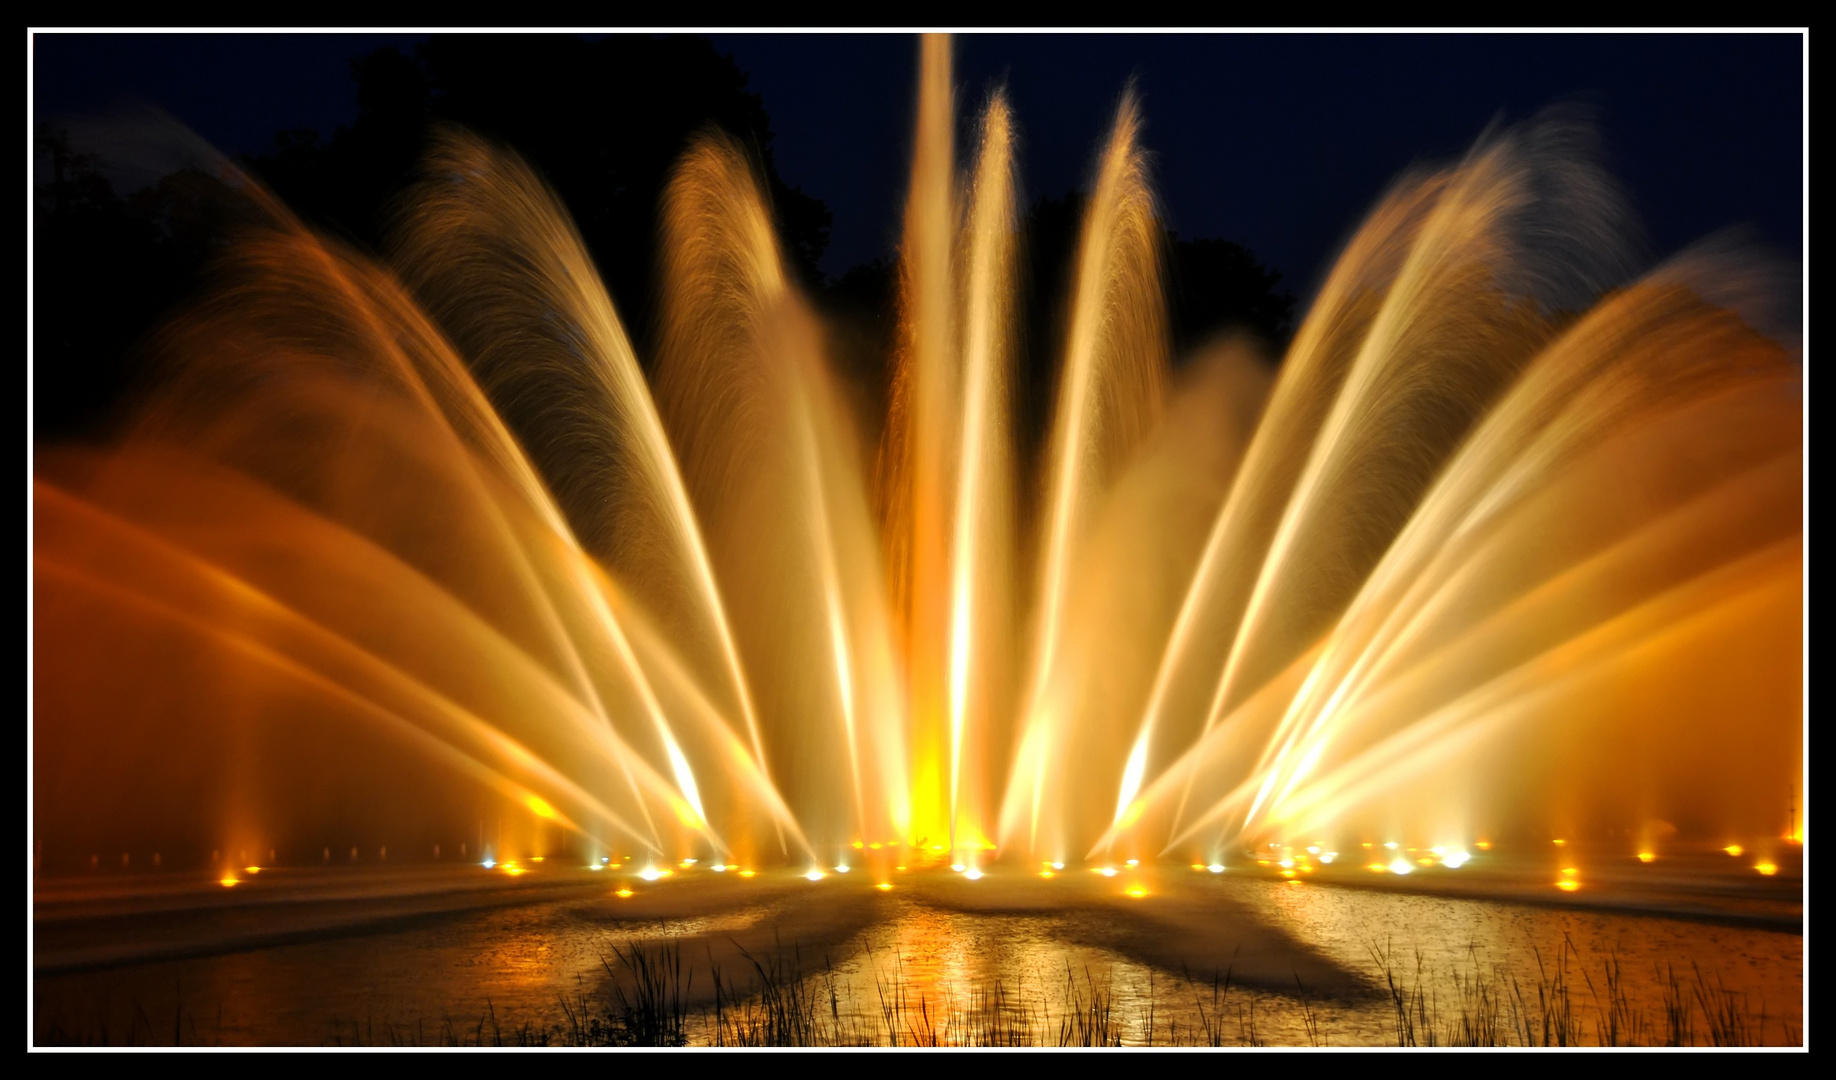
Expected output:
{"points": [[605, 122]]}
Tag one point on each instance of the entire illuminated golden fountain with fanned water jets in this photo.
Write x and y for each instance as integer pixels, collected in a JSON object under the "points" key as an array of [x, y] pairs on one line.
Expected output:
{"points": [[425, 554]]}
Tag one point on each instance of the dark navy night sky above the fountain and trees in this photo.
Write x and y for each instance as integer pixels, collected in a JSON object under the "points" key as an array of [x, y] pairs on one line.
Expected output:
{"points": [[1277, 142]]}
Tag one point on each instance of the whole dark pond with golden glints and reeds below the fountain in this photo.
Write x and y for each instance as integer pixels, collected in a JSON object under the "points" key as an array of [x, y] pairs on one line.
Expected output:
{"points": [[1688, 951]]}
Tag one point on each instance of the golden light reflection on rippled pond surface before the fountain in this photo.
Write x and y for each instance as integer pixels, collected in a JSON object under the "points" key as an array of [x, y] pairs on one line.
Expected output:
{"points": [[915, 967]]}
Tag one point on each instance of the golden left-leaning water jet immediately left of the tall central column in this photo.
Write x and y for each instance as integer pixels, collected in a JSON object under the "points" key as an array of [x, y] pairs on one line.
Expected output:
{"points": [[778, 477]]}
